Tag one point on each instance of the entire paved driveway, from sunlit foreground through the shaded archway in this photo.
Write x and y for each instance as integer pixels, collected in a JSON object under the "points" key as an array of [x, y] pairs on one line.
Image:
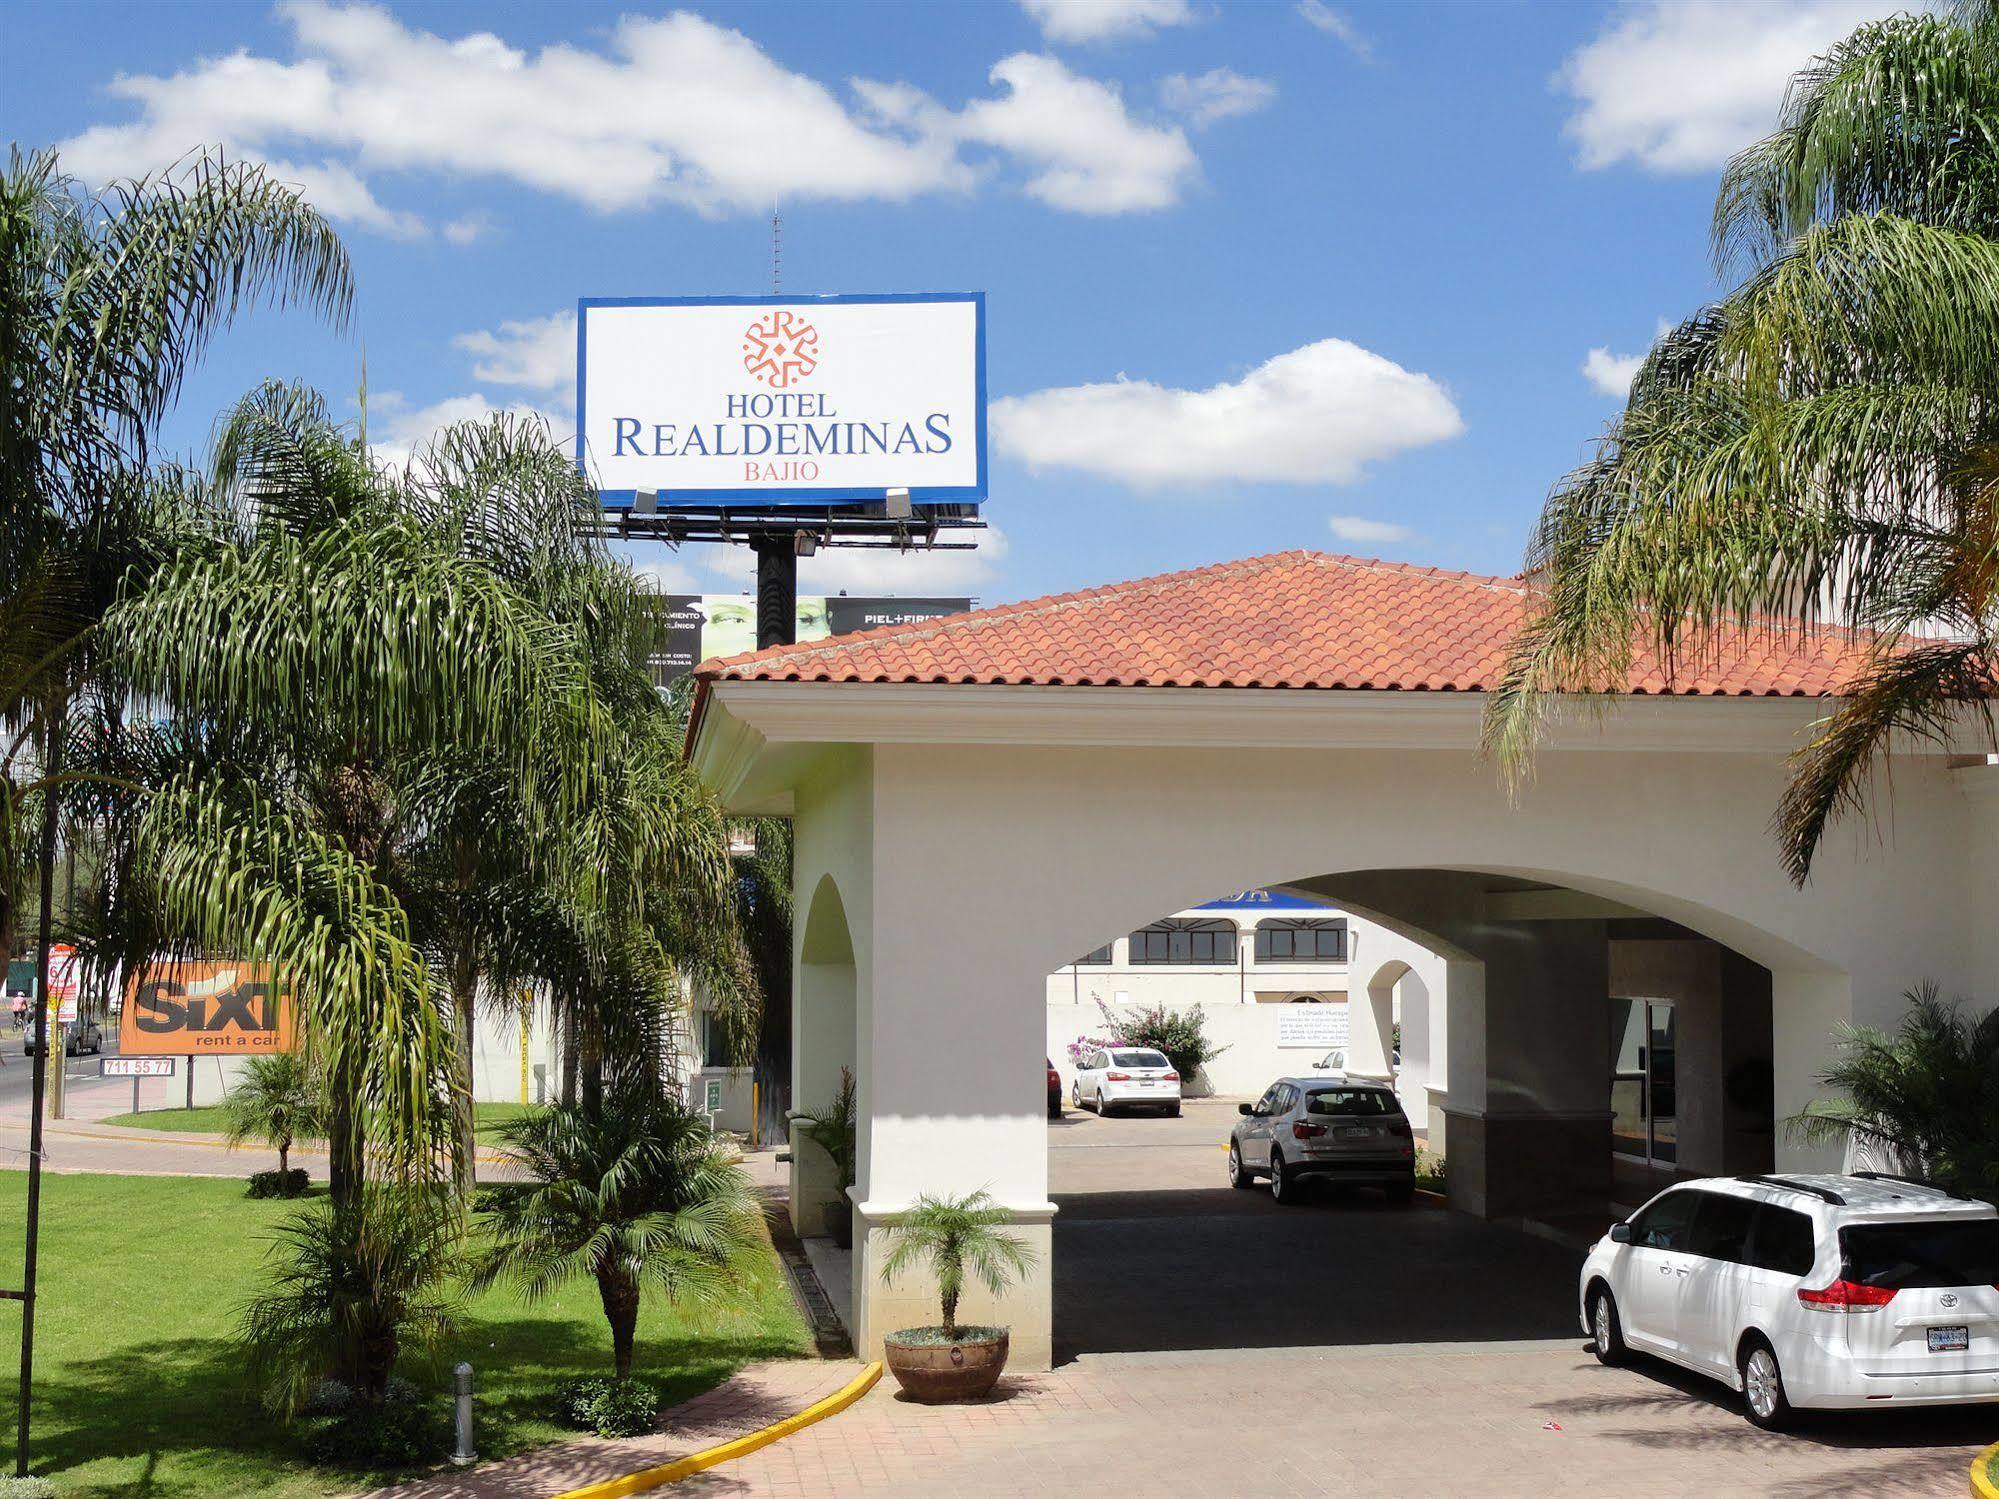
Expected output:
{"points": [[1214, 1344]]}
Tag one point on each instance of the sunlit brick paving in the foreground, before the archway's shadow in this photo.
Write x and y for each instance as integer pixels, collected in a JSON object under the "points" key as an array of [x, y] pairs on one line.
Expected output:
{"points": [[1404, 1422]]}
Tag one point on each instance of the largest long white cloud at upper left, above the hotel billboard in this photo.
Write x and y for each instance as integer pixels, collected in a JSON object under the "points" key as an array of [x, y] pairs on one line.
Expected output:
{"points": [[665, 111]]}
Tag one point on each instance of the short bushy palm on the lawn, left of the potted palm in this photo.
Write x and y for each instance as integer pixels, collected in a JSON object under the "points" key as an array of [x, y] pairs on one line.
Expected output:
{"points": [[635, 1194]]}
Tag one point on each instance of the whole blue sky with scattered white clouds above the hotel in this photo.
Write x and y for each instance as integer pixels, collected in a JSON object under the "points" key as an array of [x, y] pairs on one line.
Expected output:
{"points": [[1350, 261]]}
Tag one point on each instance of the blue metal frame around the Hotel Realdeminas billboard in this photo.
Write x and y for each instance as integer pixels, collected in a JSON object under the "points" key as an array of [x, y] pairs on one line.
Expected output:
{"points": [[779, 505]]}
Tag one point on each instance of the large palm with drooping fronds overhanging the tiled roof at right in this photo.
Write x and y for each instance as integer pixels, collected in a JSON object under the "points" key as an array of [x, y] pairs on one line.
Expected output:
{"points": [[1820, 449]]}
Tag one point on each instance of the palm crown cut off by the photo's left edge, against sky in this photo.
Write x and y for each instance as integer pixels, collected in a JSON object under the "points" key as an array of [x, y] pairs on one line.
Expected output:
{"points": [[107, 301]]}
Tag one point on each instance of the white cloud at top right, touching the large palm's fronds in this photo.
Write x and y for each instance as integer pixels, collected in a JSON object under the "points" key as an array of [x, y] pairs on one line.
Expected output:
{"points": [[1682, 85]]}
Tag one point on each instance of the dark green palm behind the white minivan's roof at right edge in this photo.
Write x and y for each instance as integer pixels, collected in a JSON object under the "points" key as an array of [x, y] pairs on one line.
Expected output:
{"points": [[1930, 1094]]}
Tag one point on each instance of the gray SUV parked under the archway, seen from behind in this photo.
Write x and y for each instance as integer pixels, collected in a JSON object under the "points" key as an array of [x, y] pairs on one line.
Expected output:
{"points": [[1324, 1128]]}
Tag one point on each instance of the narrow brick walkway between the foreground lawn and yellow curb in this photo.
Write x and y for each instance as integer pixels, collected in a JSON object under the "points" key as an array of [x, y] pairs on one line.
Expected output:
{"points": [[745, 1404]]}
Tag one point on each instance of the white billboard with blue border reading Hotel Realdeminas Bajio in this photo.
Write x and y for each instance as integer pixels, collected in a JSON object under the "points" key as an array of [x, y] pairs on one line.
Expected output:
{"points": [[797, 401]]}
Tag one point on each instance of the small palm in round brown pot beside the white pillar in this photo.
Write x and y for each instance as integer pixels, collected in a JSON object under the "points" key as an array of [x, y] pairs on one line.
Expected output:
{"points": [[953, 1236]]}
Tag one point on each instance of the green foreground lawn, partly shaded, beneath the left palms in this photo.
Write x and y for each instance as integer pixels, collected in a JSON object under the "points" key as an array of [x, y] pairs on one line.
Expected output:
{"points": [[141, 1390]]}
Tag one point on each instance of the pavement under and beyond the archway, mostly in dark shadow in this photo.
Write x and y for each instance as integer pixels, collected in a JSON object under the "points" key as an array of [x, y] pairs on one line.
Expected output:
{"points": [[1156, 1252]]}
